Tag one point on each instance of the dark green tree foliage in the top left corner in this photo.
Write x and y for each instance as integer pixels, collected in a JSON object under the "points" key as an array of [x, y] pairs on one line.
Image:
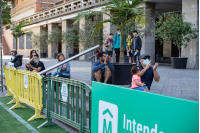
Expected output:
{"points": [[6, 8]]}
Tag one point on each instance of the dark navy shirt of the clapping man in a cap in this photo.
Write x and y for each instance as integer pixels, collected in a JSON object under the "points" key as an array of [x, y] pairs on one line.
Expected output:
{"points": [[147, 77]]}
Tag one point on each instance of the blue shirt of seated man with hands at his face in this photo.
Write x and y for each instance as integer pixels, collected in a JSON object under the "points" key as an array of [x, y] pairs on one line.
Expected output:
{"points": [[97, 65]]}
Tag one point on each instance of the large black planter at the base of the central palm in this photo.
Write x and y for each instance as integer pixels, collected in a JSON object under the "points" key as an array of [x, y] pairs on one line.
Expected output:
{"points": [[122, 74]]}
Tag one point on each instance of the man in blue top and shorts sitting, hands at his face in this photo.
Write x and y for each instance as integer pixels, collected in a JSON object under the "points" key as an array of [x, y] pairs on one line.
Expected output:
{"points": [[102, 68]]}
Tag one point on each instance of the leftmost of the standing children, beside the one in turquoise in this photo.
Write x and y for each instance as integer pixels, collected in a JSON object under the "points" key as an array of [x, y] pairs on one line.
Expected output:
{"points": [[109, 46]]}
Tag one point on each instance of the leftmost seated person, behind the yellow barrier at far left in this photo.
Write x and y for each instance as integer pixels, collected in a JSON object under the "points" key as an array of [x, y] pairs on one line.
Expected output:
{"points": [[17, 61]]}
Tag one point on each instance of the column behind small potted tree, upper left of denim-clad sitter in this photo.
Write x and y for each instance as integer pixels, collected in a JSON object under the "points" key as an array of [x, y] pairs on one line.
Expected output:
{"points": [[51, 48]]}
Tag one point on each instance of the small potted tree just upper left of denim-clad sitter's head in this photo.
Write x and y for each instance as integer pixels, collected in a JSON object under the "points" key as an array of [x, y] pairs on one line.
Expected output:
{"points": [[54, 37]]}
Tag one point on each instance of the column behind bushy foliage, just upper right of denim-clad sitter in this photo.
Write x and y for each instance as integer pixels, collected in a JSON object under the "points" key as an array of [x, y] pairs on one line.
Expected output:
{"points": [[65, 25]]}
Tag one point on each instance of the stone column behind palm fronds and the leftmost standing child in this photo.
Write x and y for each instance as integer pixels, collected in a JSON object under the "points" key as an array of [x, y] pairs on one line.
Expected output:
{"points": [[106, 31]]}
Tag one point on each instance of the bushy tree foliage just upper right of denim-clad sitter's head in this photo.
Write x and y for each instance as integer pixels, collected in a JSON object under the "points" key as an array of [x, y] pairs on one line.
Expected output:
{"points": [[71, 37]]}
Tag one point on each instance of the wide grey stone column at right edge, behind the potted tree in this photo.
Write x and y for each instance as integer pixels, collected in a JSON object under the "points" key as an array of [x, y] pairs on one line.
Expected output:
{"points": [[190, 8]]}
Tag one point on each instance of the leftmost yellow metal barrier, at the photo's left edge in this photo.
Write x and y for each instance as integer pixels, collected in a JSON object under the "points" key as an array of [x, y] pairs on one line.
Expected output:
{"points": [[10, 82]]}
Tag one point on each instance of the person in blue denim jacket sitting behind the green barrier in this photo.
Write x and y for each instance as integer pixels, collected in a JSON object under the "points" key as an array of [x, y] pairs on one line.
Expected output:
{"points": [[63, 70]]}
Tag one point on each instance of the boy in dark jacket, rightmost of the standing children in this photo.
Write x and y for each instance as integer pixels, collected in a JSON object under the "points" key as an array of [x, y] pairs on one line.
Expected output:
{"points": [[136, 46]]}
